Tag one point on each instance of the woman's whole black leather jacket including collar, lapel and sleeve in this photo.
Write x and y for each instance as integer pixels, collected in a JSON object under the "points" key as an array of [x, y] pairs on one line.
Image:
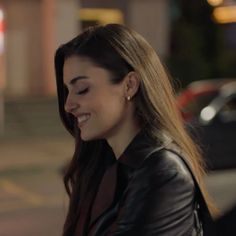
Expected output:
{"points": [[148, 191]]}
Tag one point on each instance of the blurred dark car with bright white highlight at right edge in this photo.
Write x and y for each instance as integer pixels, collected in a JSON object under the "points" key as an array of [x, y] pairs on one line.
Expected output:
{"points": [[214, 128]]}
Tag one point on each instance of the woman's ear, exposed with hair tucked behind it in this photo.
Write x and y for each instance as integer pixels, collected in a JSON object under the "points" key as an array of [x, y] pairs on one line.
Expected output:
{"points": [[131, 82]]}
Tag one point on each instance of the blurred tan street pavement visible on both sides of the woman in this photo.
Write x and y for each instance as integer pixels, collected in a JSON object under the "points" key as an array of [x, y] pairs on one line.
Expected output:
{"points": [[32, 196]]}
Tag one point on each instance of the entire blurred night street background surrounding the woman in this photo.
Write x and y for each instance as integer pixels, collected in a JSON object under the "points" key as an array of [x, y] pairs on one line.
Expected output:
{"points": [[195, 39]]}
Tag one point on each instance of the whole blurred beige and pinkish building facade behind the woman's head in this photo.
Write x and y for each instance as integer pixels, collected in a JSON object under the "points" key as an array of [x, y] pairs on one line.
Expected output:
{"points": [[33, 29]]}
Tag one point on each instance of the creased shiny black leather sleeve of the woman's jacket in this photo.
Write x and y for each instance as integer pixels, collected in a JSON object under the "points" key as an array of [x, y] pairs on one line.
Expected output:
{"points": [[158, 201]]}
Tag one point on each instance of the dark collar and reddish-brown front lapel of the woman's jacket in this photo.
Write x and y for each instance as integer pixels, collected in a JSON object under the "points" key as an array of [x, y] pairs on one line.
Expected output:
{"points": [[132, 158]]}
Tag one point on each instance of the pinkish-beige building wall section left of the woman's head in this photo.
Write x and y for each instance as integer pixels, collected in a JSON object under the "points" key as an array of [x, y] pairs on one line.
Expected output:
{"points": [[33, 29]]}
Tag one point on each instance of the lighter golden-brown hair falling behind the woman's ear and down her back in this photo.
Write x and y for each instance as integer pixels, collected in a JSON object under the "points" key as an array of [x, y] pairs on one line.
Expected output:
{"points": [[156, 102]]}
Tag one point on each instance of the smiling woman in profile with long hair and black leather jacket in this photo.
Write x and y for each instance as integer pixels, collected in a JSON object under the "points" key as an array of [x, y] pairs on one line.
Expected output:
{"points": [[135, 170]]}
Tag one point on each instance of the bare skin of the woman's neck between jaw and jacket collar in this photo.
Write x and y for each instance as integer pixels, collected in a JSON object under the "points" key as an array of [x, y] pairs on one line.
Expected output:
{"points": [[120, 141]]}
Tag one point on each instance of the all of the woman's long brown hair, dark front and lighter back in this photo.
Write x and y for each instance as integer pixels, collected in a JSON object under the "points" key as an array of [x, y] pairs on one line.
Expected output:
{"points": [[120, 50]]}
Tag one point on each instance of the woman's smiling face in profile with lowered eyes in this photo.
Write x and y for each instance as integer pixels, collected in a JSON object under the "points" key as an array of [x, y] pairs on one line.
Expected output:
{"points": [[98, 105]]}
